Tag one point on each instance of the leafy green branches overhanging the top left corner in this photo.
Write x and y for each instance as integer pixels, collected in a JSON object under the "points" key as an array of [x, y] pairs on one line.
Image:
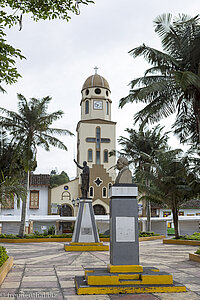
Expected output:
{"points": [[11, 13]]}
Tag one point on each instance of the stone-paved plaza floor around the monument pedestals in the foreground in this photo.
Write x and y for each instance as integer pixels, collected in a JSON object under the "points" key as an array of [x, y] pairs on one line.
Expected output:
{"points": [[46, 271]]}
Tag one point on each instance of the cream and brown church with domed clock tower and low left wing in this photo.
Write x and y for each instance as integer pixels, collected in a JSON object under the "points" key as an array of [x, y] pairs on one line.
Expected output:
{"points": [[96, 137]]}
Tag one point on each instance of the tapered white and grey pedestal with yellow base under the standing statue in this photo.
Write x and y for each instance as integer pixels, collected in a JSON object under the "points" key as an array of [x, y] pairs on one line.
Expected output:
{"points": [[85, 236]]}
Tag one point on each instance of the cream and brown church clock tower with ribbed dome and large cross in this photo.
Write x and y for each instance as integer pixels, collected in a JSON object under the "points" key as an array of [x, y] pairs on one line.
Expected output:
{"points": [[96, 138]]}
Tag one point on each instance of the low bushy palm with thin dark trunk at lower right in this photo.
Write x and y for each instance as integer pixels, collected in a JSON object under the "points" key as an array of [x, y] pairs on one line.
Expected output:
{"points": [[171, 181]]}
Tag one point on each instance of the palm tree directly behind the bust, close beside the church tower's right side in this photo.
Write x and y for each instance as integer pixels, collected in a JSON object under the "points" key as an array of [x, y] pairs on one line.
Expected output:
{"points": [[137, 146]]}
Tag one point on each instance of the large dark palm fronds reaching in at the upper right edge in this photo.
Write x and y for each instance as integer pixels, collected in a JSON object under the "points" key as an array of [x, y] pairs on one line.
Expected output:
{"points": [[172, 84]]}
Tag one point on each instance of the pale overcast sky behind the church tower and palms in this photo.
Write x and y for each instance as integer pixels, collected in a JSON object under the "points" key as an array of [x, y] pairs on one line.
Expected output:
{"points": [[61, 55]]}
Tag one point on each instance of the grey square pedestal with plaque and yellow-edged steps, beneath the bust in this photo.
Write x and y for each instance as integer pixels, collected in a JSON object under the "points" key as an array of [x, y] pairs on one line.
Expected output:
{"points": [[124, 274]]}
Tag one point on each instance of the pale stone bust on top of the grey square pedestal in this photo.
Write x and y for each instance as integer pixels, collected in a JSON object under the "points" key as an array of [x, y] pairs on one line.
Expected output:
{"points": [[124, 175]]}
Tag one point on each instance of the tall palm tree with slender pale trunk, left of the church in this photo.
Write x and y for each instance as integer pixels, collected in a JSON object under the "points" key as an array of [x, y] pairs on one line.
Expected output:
{"points": [[30, 128]]}
